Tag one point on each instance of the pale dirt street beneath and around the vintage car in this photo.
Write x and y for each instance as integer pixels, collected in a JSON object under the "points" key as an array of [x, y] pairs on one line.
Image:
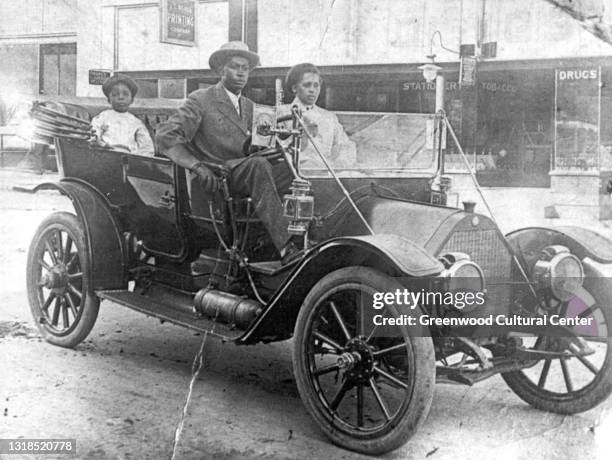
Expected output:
{"points": [[120, 394]]}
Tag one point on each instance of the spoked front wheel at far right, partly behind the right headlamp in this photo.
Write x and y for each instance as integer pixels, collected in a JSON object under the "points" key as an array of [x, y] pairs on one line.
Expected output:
{"points": [[579, 376]]}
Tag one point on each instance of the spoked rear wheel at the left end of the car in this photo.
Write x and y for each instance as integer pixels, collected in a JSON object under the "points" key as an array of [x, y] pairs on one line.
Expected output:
{"points": [[61, 300]]}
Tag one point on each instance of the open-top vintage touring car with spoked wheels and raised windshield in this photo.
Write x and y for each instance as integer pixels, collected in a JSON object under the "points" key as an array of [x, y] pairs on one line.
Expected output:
{"points": [[146, 237]]}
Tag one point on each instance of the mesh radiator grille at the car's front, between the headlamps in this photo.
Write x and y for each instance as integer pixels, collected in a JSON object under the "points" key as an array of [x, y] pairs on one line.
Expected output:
{"points": [[486, 248]]}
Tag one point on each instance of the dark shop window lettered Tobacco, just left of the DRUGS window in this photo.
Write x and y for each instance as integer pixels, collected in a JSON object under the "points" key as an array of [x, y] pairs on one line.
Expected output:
{"points": [[512, 143]]}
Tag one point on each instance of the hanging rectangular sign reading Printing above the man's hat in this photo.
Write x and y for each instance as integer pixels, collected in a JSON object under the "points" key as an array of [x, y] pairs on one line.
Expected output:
{"points": [[178, 22]]}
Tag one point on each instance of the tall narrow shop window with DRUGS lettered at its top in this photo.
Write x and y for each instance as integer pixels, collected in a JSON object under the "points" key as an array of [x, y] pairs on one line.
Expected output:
{"points": [[577, 137]]}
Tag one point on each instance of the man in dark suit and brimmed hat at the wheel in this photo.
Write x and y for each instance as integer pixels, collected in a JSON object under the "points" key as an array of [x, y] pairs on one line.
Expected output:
{"points": [[212, 126]]}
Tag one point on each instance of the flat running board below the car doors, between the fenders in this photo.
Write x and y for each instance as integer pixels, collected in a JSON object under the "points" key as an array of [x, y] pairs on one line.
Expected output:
{"points": [[177, 309]]}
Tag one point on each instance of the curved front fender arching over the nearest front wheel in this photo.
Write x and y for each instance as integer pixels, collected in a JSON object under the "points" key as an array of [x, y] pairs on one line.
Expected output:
{"points": [[390, 254]]}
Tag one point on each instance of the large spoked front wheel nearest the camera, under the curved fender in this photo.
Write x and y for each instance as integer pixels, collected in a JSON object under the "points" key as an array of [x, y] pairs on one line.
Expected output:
{"points": [[368, 391]]}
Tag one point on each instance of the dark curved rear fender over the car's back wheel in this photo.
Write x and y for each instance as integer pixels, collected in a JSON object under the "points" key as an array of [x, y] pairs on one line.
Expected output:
{"points": [[102, 232]]}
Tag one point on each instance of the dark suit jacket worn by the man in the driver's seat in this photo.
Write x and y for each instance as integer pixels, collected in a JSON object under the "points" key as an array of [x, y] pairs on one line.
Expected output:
{"points": [[208, 126]]}
